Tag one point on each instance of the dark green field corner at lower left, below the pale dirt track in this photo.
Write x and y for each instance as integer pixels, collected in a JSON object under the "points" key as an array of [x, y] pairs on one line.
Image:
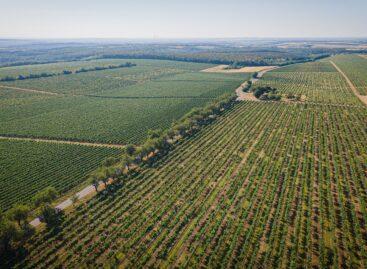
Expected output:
{"points": [[27, 167]]}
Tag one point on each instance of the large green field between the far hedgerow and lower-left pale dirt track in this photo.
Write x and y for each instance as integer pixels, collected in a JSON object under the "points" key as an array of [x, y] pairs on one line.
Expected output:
{"points": [[113, 106]]}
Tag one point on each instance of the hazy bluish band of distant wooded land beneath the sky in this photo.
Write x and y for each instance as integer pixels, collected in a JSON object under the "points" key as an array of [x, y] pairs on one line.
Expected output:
{"points": [[13, 53]]}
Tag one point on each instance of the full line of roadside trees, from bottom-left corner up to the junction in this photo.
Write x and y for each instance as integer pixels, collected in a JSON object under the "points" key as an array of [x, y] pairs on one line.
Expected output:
{"points": [[14, 227]]}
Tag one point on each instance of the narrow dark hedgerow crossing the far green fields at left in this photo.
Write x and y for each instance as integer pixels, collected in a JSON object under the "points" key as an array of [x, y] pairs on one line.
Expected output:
{"points": [[65, 72]]}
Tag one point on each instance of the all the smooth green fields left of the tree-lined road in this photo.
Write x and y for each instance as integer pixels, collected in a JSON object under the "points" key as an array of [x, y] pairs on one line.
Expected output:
{"points": [[115, 106]]}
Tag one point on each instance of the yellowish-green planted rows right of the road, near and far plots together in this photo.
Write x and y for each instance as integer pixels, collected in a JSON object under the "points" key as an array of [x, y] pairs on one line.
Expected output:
{"points": [[269, 184]]}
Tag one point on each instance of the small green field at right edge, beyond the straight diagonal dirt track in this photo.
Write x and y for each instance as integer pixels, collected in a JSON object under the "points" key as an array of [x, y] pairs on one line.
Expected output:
{"points": [[355, 67]]}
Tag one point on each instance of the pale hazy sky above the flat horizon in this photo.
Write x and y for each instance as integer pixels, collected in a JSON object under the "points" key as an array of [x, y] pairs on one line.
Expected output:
{"points": [[182, 18]]}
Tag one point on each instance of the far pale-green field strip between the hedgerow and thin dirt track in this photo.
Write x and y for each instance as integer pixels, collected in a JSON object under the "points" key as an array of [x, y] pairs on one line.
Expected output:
{"points": [[148, 79]]}
